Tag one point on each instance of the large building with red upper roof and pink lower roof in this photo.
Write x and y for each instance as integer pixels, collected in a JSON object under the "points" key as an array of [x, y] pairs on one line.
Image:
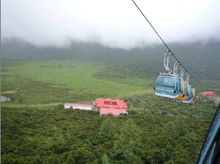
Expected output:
{"points": [[116, 107]]}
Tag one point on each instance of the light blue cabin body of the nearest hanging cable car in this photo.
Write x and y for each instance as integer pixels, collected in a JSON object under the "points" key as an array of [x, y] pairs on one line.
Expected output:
{"points": [[168, 85]]}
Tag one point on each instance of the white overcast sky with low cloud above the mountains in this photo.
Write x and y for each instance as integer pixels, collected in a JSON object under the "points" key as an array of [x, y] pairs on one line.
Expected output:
{"points": [[110, 22]]}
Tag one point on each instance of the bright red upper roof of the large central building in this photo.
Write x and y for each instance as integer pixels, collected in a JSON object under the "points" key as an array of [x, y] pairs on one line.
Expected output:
{"points": [[111, 103]]}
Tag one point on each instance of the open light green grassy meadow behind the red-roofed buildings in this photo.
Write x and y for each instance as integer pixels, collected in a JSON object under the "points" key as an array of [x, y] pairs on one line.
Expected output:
{"points": [[57, 81]]}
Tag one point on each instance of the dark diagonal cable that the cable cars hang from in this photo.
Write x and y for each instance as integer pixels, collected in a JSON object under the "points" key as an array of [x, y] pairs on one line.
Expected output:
{"points": [[186, 70]]}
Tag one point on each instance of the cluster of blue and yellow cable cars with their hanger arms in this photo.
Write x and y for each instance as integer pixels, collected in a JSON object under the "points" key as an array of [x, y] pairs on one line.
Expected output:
{"points": [[172, 85]]}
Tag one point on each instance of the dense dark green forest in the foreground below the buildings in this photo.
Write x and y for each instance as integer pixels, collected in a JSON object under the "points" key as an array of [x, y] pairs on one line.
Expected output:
{"points": [[155, 131]]}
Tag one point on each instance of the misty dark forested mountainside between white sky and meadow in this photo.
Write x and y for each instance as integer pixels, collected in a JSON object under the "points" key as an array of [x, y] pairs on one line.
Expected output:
{"points": [[201, 59]]}
